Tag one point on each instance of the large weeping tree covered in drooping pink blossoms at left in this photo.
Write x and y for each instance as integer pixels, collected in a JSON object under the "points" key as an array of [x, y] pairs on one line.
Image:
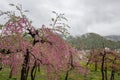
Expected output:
{"points": [[25, 48]]}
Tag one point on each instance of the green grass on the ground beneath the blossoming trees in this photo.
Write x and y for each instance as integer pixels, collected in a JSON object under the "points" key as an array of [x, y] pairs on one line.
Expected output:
{"points": [[73, 75]]}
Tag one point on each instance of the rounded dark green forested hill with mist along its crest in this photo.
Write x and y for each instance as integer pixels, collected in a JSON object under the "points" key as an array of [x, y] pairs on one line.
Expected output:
{"points": [[92, 40]]}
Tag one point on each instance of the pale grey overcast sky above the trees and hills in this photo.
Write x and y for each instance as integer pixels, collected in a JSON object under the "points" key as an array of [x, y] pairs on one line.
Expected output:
{"points": [[99, 16]]}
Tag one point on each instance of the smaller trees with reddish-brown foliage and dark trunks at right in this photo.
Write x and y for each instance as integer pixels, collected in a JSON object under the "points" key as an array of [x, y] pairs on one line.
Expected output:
{"points": [[105, 60]]}
